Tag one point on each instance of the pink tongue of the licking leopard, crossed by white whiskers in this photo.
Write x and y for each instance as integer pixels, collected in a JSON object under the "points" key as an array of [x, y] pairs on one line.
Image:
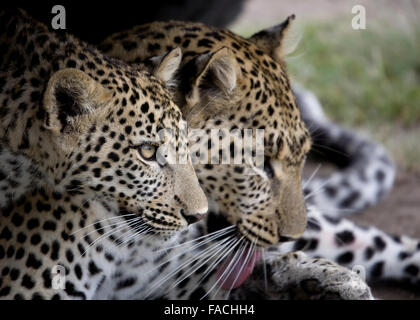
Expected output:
{"points": [[231, 274]]}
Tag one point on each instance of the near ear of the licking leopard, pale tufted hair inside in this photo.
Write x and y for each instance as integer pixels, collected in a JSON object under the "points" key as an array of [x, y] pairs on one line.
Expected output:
{"points": [[211, 74]]}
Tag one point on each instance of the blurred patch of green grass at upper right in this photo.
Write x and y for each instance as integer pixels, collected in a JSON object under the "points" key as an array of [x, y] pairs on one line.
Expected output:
{"points": [[362, 77]]}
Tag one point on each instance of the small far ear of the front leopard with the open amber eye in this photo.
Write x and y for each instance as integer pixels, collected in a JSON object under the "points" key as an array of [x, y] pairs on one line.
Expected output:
{"points": [[165, 66]]}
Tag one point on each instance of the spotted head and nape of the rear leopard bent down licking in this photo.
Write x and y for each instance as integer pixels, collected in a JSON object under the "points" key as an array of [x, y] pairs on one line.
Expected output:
{"points": [[229, 82]]}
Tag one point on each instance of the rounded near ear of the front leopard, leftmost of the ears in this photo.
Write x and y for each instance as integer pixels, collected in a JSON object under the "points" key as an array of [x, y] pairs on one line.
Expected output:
{"points": [[71, 94]]}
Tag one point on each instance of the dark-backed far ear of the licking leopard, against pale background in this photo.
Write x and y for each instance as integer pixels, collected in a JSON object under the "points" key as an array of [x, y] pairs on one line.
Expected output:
{"points": [[272, 40]]}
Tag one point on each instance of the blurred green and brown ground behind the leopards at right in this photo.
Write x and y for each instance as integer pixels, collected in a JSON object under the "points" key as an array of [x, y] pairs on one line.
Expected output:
{"points": [[368, 80]]}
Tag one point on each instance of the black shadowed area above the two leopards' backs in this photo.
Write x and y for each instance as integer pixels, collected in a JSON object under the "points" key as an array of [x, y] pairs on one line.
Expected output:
{"points": [[92, 21]]}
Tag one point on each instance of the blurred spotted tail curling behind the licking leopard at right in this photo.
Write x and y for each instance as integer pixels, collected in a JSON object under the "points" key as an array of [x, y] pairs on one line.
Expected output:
{"points": [[365, 172]]}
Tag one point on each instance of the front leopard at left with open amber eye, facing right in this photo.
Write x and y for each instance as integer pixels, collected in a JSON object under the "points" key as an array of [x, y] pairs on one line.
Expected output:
{"points": [[86, 127]]}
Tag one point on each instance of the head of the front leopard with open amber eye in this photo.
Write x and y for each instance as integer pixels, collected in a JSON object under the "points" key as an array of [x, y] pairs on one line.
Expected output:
{"points": [[103, 136]]}
